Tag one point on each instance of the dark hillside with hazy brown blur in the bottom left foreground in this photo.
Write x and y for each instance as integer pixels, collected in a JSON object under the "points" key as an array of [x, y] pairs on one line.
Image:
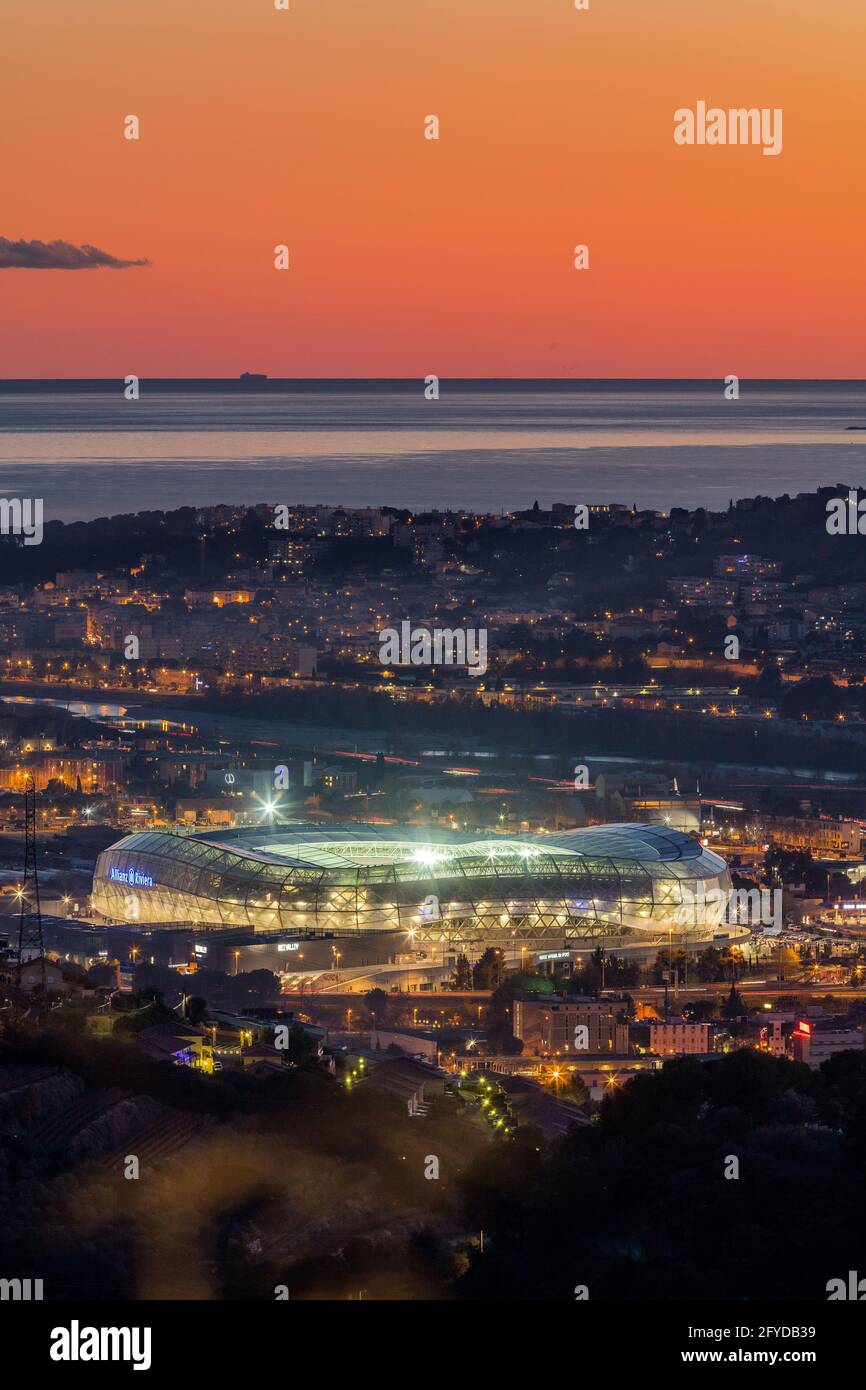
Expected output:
{"points": [[288, 1179]]}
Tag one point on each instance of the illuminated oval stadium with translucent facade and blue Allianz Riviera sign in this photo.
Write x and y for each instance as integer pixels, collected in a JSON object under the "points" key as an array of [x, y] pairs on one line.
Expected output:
{"points": [[612, 882]]}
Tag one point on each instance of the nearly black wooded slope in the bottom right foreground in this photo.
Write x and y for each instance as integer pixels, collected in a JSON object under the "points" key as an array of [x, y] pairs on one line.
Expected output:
{"points": [[639, 1206]]}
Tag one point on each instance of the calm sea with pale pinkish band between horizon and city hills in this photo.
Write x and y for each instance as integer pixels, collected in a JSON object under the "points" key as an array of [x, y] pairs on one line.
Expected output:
{"points": [[94, 454]]}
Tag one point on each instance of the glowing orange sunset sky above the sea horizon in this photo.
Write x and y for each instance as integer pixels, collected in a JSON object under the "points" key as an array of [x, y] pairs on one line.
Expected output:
{"points": [[414, 256]]}
